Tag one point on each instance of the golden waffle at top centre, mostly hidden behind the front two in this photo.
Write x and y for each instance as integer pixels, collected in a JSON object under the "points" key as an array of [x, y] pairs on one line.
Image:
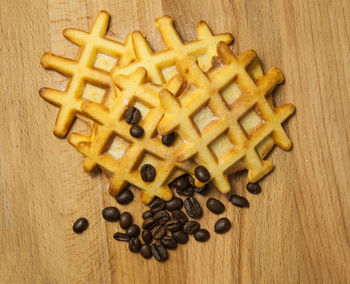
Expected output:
{"points": [[204, 48]]}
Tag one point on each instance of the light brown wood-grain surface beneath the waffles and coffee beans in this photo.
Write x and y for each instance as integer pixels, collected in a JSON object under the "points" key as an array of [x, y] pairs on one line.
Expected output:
{"points": [[297, 229]]}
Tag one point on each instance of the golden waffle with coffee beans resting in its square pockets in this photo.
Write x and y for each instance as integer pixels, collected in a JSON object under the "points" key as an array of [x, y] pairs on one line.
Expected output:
{"points": [[126, 169]]}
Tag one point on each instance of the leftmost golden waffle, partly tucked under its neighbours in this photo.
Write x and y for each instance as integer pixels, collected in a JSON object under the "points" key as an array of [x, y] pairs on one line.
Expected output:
{"points": [[82, 70]]}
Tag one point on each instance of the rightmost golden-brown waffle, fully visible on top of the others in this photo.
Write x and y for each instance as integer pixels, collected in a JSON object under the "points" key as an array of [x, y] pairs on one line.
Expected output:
{"points": [[205, 91]]}
